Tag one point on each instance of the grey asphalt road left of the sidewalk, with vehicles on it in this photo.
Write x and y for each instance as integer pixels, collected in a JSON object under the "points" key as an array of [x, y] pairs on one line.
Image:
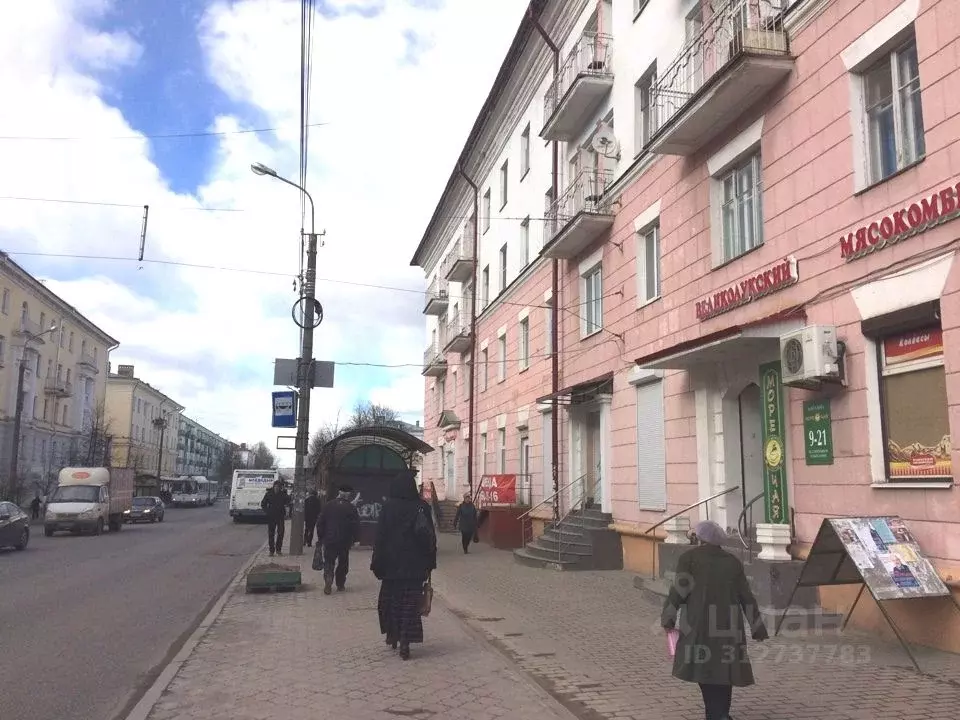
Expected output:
{"points": [[86, 623]]}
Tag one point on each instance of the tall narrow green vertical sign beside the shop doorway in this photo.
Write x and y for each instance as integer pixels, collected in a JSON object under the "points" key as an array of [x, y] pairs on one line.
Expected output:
{"points": [[774, 453]]}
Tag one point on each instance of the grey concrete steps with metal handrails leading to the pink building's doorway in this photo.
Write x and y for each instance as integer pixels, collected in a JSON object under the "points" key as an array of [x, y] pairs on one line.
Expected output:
{"points": [[581, 541]]}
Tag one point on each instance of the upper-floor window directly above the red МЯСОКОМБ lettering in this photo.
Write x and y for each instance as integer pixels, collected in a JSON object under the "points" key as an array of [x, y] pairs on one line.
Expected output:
{"points": [[891, 91]]}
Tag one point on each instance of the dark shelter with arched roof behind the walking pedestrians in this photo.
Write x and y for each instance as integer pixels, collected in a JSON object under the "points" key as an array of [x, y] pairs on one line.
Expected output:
{"points": [[368, 459]]}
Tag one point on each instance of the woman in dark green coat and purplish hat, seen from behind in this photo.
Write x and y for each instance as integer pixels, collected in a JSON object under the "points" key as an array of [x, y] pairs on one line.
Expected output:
{"points": [[711, 596]]}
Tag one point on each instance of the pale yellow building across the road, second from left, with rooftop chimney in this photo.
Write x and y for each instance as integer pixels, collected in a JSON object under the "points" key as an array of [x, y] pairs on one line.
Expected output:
{"points": [[145, 425]]}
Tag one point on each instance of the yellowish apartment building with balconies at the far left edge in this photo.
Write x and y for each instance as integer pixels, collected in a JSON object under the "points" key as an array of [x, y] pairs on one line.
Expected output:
{"points": [[64, 359]]}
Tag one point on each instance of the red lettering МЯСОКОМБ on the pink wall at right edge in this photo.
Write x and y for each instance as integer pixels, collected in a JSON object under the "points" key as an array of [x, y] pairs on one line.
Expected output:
{"points": [[901, 224]]}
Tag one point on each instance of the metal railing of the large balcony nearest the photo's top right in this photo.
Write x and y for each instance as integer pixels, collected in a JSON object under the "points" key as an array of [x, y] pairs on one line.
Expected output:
{"points": [[733, 29]]}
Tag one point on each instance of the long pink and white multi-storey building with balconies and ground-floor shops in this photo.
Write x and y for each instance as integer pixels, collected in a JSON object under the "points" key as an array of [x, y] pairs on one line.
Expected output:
{"points": [[755, 301]]}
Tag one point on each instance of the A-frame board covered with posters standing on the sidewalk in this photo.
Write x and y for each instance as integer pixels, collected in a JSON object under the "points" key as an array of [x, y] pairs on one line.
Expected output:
{"points": [[879, 552]]}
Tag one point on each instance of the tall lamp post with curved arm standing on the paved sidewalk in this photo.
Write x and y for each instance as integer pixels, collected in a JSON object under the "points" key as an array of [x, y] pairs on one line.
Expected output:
{"points": [[304, 368]]}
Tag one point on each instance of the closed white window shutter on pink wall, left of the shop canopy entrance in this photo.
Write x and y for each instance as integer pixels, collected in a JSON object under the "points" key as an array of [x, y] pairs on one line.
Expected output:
{"points": [[651, 447]]}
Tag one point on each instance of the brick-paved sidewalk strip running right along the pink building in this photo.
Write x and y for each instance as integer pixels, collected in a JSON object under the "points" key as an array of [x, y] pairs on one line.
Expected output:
{"points": [[593, 640]]}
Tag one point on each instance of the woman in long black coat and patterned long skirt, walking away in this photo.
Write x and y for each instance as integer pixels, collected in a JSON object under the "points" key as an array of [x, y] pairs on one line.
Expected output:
{"points": [[404, 555]]}
